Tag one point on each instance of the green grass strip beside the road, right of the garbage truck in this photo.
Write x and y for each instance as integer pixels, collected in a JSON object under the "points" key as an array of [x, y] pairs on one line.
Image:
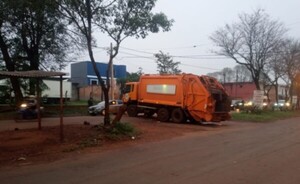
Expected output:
{"points": [[264, 116]]}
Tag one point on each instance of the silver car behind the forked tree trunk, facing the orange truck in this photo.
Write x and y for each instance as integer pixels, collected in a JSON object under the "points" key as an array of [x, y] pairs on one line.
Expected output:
{"points": [[114, 106]]}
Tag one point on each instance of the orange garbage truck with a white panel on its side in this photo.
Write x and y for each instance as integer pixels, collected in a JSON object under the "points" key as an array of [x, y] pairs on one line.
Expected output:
{"points": [[178, 98]]}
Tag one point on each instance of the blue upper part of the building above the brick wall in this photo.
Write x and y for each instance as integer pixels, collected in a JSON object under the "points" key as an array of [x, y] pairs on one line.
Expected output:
{"points": [[82, 73]]}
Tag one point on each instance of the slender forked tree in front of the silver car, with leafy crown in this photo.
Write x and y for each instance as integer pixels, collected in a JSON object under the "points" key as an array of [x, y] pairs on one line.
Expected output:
{"points": [[119, 19]]}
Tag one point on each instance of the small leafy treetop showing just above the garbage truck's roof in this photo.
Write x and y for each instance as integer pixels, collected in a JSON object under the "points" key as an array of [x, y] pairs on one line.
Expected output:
{"points": [[165, 64]]}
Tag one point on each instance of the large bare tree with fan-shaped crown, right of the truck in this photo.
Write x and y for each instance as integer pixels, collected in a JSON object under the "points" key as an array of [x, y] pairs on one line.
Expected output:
{"points": [[250, 42]]}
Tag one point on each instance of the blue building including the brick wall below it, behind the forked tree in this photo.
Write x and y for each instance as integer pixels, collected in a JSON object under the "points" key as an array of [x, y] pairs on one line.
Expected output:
{"points": [[86, 81]]}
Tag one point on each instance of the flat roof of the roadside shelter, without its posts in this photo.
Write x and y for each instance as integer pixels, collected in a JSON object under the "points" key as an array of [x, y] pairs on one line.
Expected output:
{"points": [[30, 74]]}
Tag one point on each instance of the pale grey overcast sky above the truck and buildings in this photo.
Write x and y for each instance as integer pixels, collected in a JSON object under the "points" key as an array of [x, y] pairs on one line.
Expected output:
{"points": [[188, 41]]}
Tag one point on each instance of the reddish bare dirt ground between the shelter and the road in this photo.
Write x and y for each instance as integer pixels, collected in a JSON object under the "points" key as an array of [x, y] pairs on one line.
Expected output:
{"points": [[21, 147]]}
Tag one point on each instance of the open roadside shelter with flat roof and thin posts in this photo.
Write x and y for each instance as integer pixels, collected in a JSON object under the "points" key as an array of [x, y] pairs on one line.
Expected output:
{"points": [[39, 75]]}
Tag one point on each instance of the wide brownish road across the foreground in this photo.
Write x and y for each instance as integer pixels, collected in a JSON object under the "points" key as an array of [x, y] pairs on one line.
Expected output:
{"points": [[240, 153]]}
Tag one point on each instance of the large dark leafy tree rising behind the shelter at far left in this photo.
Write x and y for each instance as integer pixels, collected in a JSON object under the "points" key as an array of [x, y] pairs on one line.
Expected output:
{"points": [[32, 37]]}
